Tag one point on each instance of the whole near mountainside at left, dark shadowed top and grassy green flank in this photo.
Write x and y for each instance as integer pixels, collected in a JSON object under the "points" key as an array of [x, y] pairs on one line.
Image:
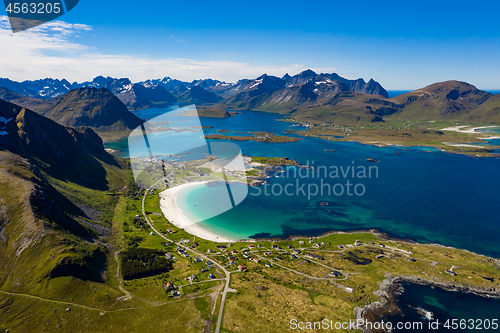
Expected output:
{"points": [[42, 236]]}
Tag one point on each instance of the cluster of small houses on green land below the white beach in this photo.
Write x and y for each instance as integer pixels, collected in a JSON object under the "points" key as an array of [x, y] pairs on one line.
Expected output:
{"points": [[236, 259]]}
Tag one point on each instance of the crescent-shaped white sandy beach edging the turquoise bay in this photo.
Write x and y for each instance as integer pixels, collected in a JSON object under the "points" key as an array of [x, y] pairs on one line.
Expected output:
{"points": [[174, 214]]}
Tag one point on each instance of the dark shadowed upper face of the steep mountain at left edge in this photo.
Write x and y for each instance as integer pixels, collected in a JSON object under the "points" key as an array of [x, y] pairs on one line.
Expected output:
{"points": [[54, 147]]}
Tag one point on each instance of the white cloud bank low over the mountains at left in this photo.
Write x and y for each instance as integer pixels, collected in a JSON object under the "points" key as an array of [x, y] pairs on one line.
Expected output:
{"points": [[46, 51]]}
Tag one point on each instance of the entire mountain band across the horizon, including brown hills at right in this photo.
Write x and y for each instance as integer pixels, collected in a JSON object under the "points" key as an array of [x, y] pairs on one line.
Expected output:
{"points": [[308, 96]]}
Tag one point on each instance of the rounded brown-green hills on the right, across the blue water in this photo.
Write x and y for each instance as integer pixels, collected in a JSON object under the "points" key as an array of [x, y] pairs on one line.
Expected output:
{"points": [[448, 100]]}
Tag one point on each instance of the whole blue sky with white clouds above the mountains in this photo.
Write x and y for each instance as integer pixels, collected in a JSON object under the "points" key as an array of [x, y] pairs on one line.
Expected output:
{"points": [[402, 45]]}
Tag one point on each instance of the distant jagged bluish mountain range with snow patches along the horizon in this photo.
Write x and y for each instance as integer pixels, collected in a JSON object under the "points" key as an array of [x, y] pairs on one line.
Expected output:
{"points": [[160, 92]]}
